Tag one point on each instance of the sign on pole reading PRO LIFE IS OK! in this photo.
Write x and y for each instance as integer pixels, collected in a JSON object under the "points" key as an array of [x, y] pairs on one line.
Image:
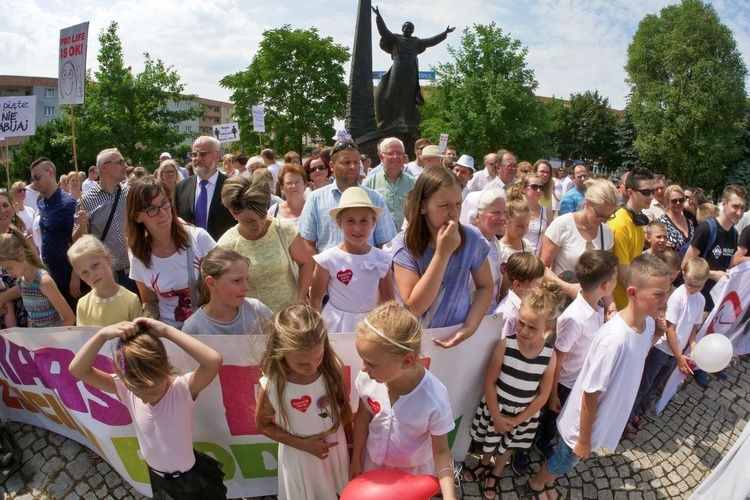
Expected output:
{"points": [[72, 65]]}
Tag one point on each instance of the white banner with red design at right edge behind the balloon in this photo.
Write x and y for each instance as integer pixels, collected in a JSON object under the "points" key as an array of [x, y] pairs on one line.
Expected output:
{"points": [[730, 317]]}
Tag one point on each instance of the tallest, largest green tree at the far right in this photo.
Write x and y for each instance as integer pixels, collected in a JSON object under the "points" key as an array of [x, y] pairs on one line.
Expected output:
{"points": [[688, 93]]}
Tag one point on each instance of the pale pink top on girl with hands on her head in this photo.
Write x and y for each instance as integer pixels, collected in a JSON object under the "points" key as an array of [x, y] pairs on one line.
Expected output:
{"points": [[164, 430]]}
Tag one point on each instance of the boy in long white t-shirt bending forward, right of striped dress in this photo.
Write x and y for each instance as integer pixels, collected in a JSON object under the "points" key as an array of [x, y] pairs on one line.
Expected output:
{"points": [[599, 404]]}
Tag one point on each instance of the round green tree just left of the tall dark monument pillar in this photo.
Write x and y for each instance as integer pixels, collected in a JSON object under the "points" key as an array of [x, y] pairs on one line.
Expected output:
{"points": [[298, 77]]}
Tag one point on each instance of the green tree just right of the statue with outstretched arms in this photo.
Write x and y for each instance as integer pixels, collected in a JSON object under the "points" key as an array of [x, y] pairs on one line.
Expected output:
{"points": [[485, 99]]}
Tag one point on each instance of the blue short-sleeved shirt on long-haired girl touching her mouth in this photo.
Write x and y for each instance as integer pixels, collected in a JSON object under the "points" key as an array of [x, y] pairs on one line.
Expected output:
{"points": [[454, 295]]}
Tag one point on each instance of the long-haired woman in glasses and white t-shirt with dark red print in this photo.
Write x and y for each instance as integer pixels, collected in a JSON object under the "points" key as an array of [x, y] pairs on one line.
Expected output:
{"points": [[164, 252]]}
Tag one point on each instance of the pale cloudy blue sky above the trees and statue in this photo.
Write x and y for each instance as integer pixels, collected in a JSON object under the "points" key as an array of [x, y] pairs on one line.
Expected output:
{"points": [[573, 45]]}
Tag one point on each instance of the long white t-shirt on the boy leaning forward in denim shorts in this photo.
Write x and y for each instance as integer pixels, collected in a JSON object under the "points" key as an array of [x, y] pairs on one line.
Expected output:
{"points": [[613, 366]]}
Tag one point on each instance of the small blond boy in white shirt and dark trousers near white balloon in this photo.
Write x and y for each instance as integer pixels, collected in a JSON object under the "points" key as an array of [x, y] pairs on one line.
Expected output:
{"points": [[684, 317]]}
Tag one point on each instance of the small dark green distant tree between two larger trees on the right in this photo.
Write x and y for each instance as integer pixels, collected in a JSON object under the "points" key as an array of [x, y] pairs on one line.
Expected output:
{"points": [[586, 129]]}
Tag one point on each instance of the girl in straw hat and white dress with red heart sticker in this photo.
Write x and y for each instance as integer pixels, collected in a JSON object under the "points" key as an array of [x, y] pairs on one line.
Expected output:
{"points": [[354, 274]]}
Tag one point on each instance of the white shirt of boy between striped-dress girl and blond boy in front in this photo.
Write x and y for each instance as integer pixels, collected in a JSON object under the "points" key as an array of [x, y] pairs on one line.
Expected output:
{"points": [[576, 328]]}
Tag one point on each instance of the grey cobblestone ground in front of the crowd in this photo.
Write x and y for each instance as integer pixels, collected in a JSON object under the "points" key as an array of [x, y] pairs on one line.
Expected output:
{"points": [[667, 459]]}
